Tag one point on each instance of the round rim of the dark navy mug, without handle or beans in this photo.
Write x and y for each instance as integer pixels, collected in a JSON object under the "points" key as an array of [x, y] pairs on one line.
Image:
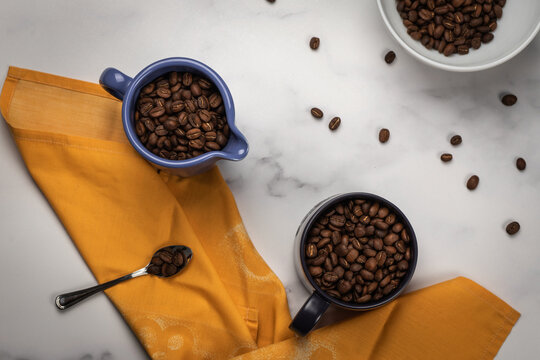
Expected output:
{"points": [[324, 206]]}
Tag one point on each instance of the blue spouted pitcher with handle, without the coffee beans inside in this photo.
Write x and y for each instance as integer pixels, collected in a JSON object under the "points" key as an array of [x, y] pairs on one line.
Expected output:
{"points": [[127, 89]]}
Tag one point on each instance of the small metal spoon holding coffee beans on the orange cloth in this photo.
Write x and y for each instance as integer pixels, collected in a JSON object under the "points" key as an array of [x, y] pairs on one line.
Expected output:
{"points": [[166, 262]]}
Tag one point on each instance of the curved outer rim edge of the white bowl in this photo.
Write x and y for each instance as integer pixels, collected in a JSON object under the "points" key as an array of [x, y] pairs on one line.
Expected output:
{"points": [[465, 68]]}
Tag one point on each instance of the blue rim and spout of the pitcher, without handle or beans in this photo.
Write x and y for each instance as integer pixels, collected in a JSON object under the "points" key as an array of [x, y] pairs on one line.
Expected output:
{"points": [[153, 71]]}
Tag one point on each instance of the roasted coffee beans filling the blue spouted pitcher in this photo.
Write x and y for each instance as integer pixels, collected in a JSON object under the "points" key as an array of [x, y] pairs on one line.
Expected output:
{"points": [[181, 115]]}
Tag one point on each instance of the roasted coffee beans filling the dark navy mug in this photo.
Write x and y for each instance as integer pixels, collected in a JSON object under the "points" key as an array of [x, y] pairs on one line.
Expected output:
{"points": [[349, 260]]}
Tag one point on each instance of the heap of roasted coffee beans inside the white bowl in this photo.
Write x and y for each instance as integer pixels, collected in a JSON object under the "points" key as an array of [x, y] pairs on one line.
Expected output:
{"points": [[451, 27]]}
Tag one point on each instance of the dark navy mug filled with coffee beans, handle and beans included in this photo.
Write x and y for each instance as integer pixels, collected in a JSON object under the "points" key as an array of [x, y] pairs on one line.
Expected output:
{"points": [[356, 251]]}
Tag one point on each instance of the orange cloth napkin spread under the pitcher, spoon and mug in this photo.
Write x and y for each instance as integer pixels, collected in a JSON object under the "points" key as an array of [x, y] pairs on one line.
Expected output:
{"points": [[227, 303]]}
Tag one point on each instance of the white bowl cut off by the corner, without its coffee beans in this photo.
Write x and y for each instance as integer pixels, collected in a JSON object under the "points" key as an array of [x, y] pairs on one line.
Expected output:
{"points": [[515, 30]]}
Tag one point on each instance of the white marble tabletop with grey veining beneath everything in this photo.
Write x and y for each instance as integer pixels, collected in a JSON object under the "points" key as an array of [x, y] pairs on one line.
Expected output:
{"points": [[261, 51]]}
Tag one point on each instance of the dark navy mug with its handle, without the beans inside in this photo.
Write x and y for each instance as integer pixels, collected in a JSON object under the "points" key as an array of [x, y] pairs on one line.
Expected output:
{"points": [[313, 309]]}
